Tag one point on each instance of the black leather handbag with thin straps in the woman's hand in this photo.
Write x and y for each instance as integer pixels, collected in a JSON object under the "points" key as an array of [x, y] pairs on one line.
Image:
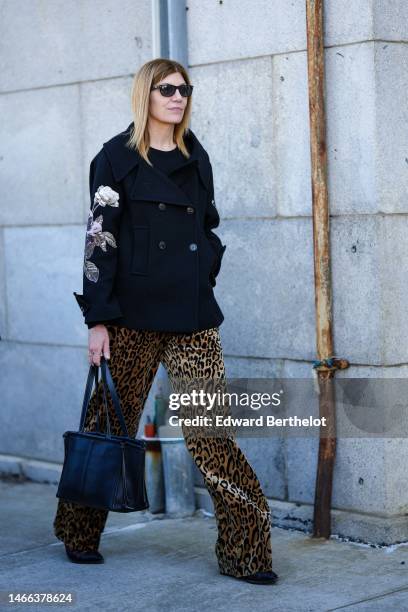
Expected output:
{"points": [[102, 470]]}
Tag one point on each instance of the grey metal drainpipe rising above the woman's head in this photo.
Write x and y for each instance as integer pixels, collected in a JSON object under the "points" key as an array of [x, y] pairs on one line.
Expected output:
{"points": [[170, 30]]}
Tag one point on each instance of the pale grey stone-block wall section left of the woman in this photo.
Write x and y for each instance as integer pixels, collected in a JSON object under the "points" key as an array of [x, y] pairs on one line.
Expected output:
{"points": [[65, 82]]}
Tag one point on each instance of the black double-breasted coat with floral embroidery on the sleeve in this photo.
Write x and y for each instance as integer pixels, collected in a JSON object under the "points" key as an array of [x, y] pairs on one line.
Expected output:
{"points": [[151, 257]]}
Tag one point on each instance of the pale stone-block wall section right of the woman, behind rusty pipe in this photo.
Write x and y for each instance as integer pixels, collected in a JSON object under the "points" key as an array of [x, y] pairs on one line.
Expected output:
{"points": [[254, 85]]}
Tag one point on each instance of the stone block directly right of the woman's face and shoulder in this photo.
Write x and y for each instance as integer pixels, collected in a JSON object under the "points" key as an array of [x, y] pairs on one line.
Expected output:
{"points": [[244, 177]]}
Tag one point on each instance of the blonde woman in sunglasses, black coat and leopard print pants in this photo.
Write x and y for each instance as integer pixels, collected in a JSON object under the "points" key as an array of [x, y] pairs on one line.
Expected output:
{"points": [[150, 265]]}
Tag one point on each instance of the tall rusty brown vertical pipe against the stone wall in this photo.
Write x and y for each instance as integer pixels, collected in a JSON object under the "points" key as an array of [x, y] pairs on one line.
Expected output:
{"points": [[326, 365]]}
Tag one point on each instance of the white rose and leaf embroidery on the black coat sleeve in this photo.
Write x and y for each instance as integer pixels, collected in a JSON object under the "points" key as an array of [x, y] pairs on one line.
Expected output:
{"points": [[104, 196]]}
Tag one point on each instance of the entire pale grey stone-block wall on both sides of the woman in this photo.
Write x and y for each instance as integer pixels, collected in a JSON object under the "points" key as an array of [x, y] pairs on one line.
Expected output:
{"points": [[65, 86]]}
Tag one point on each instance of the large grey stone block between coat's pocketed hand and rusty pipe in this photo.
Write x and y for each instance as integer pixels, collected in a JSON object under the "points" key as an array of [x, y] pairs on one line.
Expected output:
{"points": [[269, 307]]}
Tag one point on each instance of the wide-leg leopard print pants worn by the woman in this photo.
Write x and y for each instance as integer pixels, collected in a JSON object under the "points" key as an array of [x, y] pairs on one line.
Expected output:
{"points": [[242, 513]]}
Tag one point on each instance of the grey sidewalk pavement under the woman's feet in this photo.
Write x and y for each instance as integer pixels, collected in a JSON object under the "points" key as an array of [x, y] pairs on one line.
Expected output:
{"points": [[158, 563]]}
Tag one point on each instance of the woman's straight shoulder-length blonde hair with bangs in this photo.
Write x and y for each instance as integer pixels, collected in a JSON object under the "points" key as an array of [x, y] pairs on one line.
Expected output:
{"points": [[147, 76]]}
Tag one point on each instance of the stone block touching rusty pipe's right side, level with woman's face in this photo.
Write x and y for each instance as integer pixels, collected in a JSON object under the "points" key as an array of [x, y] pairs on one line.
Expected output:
{"points": [[351, 101]]}
